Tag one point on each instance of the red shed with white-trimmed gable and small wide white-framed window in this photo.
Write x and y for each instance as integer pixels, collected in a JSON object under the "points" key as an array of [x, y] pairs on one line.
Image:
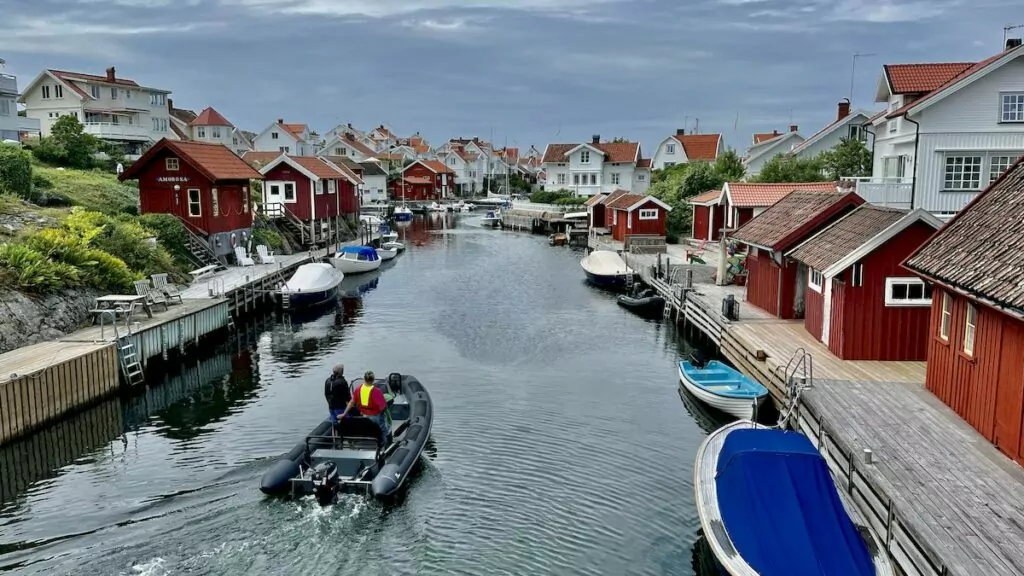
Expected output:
{"points": [[860, 301]]}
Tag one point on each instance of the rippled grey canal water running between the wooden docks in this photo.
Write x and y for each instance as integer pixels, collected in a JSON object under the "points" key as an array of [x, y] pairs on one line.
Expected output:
{"points": [[561, 443]]}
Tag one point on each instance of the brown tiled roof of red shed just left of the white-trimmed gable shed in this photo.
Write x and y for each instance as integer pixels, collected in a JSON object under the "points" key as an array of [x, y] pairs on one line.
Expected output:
{"points": [[793, 219]]}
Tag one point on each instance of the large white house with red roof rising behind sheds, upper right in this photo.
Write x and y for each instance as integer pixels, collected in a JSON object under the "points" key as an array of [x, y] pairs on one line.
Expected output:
{"points": [[950, 130]]}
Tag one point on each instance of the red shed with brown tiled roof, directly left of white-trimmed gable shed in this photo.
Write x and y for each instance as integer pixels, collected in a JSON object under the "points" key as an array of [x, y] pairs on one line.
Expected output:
{"points": [[776, 283]]}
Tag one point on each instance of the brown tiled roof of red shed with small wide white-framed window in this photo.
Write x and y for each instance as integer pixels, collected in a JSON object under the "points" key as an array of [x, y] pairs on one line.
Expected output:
{"points": [[845, 236]]}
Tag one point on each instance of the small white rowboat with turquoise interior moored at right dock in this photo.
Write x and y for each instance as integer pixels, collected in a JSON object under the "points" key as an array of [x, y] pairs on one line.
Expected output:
{"points": [[722, 387]]}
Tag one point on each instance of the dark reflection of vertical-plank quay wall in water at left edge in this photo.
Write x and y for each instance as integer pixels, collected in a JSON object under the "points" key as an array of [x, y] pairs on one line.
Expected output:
{"points": [[41, 456]]}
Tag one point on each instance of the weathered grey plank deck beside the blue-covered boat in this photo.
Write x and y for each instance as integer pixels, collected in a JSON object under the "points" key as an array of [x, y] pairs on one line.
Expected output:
{"points": [[960, 499]]}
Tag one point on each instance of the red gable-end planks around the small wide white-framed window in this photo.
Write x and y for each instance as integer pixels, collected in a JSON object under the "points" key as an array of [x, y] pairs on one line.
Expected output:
{"points": [[873, 331]]}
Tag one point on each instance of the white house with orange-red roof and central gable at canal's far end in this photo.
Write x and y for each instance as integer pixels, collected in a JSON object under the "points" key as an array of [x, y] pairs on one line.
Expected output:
{"points": [[596, 168]]}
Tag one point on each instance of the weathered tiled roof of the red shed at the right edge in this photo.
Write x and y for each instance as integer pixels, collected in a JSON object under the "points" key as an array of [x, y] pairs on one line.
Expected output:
{"points": [[980, 250]]}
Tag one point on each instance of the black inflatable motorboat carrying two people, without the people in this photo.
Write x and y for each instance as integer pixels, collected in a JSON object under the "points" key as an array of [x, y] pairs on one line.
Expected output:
{"points": [[349, 457]]}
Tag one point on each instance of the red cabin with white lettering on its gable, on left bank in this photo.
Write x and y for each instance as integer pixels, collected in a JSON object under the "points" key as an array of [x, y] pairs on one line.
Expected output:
{"points": [[204, 185]]}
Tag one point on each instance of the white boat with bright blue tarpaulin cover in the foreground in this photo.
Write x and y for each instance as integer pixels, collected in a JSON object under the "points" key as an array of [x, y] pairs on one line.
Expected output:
{"points": [[770, 507]]}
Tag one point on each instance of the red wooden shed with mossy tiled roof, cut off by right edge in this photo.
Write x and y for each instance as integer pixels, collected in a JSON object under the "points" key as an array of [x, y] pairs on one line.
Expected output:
{"points": [[976, 345]]}
